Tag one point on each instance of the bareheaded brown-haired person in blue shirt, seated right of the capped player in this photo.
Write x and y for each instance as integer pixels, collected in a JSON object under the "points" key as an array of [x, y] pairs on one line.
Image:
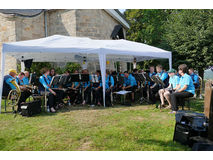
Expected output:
{"points": [[184, 89]]}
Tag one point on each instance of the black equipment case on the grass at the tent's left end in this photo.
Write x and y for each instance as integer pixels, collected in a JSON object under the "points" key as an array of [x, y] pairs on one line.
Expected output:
{"points": [[31, 108]]}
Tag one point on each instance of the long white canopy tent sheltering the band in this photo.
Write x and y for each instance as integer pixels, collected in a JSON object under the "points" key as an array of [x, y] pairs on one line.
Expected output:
{"points": [[59, 48]]}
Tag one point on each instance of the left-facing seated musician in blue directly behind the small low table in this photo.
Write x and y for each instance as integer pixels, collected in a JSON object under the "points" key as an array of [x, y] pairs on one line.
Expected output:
{"points": [[129, 84]]}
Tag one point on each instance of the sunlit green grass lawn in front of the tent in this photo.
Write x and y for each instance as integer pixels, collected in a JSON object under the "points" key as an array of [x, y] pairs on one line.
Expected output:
{"points": [[139, 127]]}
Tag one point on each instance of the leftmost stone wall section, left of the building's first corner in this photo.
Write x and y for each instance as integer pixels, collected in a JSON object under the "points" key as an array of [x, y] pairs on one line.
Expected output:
{"points": [[7, 34]]}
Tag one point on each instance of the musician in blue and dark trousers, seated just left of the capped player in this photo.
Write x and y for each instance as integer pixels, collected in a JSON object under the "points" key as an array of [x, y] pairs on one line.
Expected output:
{"points": [[155, 88]]}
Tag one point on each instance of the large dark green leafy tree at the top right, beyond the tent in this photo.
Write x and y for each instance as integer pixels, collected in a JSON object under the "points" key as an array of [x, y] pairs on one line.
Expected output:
{"points": [[189, 33]]}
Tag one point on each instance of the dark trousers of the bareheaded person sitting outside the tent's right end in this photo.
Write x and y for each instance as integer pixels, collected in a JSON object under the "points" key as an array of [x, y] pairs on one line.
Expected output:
{"points": [[177, 98]]}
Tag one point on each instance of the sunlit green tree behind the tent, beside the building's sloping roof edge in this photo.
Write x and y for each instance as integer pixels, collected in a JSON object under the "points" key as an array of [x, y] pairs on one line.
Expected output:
{"points": [[147, 26]]}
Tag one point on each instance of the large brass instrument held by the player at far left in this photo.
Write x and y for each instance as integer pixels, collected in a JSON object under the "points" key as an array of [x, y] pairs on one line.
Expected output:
{"points": [[14, 95]]}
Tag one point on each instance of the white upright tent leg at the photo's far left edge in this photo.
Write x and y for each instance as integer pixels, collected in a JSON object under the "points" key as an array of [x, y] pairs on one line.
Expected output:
{"points": [[2, 74]]}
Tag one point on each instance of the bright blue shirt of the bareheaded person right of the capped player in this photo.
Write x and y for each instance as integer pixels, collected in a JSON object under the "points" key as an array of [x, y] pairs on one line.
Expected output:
{"points": [[187, 80]]}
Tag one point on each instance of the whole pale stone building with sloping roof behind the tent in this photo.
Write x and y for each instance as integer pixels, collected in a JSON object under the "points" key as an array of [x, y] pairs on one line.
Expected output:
{"points": [[18, 25]]}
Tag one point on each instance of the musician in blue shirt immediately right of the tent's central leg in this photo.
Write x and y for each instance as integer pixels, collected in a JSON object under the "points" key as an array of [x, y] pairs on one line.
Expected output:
{"points": [[109, 84]]}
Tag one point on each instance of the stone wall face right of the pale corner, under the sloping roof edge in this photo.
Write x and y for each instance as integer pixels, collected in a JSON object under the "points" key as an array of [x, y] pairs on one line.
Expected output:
{"points": [[96, 24]]}
